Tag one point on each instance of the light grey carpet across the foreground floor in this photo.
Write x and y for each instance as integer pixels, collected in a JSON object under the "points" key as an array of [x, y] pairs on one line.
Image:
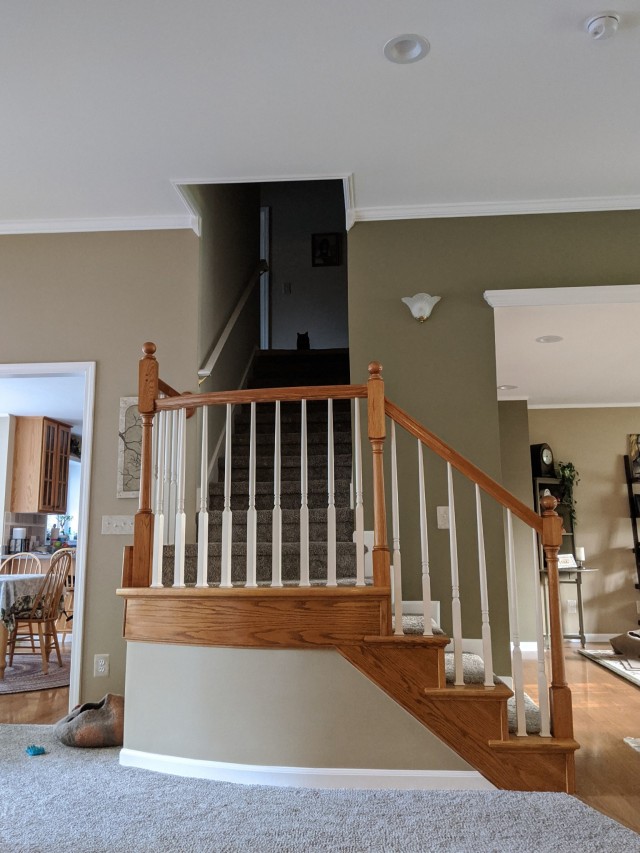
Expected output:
{"points": [[83, 800]]}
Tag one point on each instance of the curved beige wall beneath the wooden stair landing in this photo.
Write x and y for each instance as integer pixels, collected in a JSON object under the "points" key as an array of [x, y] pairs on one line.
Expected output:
{"points": [[282, 707]]}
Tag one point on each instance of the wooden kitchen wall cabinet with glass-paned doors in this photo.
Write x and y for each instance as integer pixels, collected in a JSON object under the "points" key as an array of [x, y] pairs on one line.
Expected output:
{"points": [[40, 466]]}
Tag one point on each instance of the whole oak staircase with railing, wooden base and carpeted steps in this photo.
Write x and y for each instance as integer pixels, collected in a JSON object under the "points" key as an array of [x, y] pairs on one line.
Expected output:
{"points": [[472, 718]]}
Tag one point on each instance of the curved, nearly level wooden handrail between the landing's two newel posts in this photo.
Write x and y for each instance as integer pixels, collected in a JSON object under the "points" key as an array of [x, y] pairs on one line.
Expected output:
{"points": [[261, 395]]}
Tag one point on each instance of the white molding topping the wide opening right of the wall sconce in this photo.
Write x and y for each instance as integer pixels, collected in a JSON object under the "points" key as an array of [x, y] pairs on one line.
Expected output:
{"points": [[542, 296]]}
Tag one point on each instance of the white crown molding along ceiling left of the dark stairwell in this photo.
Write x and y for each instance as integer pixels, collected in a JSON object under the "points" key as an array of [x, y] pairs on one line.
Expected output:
{"points": [[116, 223]]}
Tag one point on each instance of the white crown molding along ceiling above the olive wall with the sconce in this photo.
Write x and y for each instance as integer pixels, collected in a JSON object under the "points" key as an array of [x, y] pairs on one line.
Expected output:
{"points": [[497, 208]]}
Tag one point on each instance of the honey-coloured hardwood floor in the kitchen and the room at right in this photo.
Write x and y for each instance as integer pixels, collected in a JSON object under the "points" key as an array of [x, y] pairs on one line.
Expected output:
{"points": [[606, 710]]}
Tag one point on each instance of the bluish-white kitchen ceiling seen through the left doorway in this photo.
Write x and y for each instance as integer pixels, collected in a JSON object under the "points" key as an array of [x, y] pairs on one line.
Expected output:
{"points": [[59, 397]]}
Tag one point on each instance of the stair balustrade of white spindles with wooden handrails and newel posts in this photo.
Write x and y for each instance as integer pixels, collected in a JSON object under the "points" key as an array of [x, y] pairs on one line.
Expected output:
{"points": [[162, 518]]}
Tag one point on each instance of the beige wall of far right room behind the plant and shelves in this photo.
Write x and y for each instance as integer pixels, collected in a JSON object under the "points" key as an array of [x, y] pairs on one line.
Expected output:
{"points": [[595, 440]]}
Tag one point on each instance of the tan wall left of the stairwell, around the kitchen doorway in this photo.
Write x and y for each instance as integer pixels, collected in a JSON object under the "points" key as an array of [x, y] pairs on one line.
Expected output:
{"points": [[98, 297]]}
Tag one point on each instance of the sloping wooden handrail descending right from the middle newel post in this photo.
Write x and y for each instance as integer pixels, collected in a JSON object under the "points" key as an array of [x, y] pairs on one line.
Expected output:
{"points": [[464, 466]]}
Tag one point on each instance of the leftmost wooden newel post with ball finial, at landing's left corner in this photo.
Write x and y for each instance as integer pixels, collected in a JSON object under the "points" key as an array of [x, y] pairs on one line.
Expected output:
{"points": [[143, 523]]}
